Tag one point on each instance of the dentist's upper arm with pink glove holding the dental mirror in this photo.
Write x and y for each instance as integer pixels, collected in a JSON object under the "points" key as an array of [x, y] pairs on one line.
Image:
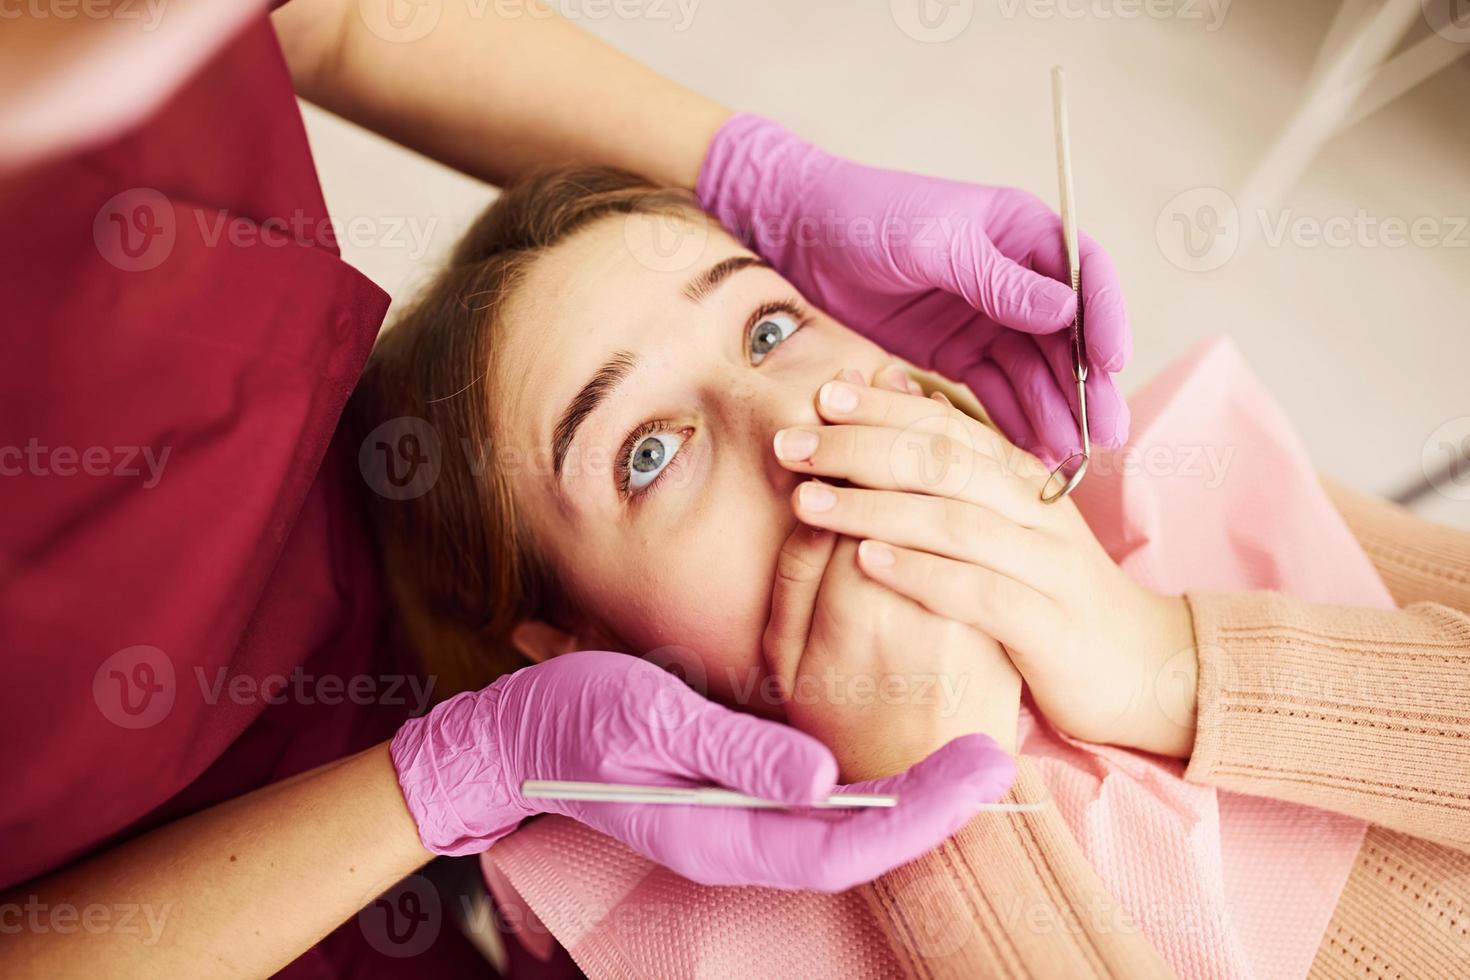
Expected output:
{"points": [[961, 278]]}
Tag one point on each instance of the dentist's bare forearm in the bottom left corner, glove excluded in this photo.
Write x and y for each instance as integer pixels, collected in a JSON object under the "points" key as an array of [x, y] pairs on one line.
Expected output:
{"points": [[240, 890]]}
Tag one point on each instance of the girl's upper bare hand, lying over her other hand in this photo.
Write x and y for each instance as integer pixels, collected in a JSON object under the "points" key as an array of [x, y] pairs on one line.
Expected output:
{"points": [[949, 515]]}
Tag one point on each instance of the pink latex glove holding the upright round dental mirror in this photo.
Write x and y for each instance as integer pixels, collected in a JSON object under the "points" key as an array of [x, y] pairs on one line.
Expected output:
{"points": [[958, 278]]}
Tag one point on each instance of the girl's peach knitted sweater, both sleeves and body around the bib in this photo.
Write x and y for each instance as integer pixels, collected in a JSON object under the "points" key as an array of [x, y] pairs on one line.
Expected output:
{"points": [[1359, 712]]}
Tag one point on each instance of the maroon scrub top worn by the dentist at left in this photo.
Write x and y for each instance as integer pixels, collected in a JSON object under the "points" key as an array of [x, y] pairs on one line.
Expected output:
{"points": [[189, 600]]}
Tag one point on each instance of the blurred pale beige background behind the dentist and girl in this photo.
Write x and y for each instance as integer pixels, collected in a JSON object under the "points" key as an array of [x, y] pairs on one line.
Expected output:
{"points": [[1368, 346]]}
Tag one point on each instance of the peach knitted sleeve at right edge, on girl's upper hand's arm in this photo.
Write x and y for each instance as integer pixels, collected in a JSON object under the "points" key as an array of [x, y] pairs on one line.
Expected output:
{"points": [[1360, 712]]}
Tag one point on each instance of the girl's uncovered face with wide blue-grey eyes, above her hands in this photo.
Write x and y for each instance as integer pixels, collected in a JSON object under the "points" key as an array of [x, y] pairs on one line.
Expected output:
{"points": [[636, 411]]}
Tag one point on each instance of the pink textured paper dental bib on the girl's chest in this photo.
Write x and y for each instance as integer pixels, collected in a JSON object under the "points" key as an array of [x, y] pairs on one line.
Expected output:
{"points": [[1215, 491]]}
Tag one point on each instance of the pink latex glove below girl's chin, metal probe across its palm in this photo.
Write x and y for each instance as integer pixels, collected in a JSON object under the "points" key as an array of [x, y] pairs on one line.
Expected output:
{"points": [[612, 718]]}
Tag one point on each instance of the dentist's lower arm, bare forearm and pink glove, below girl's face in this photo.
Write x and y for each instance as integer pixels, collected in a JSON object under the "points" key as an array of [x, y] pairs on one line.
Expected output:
{"points": [[245, 888]]}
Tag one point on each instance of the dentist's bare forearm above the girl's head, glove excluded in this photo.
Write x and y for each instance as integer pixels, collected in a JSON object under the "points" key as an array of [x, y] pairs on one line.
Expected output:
{"points": [[498, 90]]}
